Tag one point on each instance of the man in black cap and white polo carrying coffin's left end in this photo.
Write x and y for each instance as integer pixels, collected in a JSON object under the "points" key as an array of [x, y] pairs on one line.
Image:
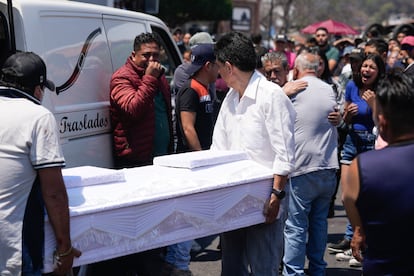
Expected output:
{"points": [[31, 161]]}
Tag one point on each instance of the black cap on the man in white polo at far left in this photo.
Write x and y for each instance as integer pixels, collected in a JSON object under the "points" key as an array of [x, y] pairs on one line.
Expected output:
{"points": [[26, 69]]}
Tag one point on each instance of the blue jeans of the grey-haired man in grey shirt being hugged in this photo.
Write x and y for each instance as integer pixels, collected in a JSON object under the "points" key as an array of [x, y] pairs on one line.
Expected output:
{"points": [[307, 226]]}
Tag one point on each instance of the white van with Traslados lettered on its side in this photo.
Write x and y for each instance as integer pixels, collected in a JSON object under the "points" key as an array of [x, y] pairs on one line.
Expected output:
{"points": [[82, 45]]}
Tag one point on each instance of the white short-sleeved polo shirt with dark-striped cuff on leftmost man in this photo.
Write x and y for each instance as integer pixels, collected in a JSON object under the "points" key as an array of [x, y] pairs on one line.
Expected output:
{"points": [[28, 142]]}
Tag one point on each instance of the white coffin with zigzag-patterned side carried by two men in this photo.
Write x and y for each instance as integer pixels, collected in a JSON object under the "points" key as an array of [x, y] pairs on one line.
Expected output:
{"points": [[159, 205]]}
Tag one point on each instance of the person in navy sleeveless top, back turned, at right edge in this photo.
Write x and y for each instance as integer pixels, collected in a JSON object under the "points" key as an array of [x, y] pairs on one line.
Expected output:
{"points": [[378, 192]]}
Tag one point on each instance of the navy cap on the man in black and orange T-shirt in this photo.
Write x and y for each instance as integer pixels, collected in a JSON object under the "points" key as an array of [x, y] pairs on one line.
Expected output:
{"points": [[200, 54]]}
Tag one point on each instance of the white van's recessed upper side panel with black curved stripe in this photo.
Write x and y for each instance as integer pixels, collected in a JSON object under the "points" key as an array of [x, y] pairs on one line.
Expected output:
{"points": [[77, 58]]}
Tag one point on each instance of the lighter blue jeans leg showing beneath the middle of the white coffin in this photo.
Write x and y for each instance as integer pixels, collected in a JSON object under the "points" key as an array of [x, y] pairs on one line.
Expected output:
{"points": [[179, 254]]}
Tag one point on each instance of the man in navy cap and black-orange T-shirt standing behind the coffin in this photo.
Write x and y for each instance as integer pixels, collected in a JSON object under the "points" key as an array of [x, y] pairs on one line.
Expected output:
{"points": [[194, 111]]}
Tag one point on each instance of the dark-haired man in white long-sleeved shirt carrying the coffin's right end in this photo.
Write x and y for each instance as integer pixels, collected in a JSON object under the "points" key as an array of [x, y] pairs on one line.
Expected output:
{"points": [[256, 116]]}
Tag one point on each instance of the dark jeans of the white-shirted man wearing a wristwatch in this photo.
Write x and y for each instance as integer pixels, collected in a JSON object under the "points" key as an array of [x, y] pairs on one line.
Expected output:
{"points": [[258, 247]]}
